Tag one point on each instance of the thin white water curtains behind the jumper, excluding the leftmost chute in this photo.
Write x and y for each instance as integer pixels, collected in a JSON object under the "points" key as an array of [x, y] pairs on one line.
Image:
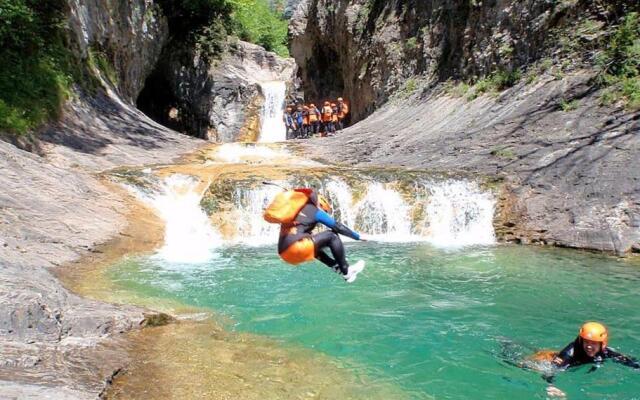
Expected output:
{"points": [[454, 213]]}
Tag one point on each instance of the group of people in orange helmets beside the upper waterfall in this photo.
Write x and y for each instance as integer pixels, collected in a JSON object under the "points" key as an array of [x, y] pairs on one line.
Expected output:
{"points": [[303, 121]]}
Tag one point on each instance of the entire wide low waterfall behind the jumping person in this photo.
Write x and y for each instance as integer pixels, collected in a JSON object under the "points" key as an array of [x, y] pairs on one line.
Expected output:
{"points": [[446, 213]]}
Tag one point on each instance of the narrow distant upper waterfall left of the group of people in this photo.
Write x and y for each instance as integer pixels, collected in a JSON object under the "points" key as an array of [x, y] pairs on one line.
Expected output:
{"points": [[273, 128]]}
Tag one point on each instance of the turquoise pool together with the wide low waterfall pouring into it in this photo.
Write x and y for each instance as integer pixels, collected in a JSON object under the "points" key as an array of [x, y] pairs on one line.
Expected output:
{"points": [[440, 311]]}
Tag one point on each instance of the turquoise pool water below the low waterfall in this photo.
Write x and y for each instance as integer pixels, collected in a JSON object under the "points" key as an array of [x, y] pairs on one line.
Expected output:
{"points": [[434, 322]]}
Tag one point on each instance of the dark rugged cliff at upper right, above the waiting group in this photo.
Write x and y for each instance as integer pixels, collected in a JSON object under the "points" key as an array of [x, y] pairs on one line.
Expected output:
{"points": [[365, 50]]}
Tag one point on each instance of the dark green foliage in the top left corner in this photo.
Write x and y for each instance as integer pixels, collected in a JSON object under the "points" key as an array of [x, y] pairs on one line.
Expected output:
{"points": [[36, 68]]}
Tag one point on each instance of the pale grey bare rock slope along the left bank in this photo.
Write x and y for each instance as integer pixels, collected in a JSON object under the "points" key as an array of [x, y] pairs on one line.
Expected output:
{"points": [[53, 210]]}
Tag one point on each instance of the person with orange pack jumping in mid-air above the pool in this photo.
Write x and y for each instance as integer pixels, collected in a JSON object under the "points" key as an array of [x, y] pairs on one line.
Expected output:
{"points": [[298, 212]]}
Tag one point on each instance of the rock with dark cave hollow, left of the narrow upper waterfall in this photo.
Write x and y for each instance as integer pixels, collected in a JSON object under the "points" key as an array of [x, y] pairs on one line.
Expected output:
{"points": [[218, 100]]}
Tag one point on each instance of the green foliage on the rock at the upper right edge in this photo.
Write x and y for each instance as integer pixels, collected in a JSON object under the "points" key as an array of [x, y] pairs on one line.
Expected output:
{"points": [[619, 64]]}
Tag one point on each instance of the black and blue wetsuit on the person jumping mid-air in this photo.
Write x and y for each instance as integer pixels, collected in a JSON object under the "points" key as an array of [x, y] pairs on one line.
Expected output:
{"points": [[305, 222]]}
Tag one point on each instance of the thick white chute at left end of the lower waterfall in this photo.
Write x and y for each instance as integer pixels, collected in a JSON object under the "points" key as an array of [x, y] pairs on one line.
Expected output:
{"points": [[189, 236]]}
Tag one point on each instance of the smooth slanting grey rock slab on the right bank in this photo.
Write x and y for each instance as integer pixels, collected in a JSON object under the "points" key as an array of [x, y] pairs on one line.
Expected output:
{"points": [[570, 178]]}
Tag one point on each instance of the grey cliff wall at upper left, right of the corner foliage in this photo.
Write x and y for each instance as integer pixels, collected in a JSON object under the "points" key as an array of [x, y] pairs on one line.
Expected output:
{"points": [[129, 35]]}
